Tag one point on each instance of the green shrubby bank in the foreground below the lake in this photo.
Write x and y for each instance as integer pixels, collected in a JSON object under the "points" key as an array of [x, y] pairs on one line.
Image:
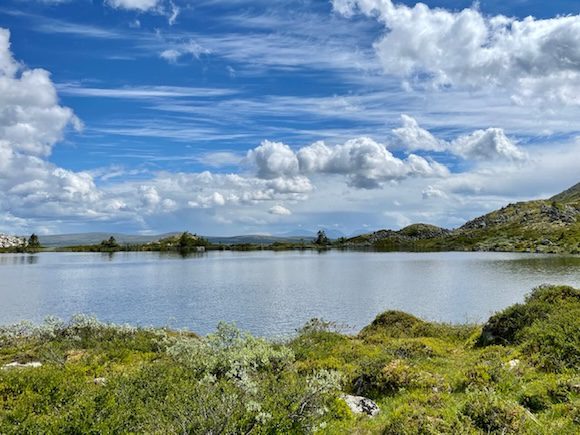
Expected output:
{"points": [[518, 373]]}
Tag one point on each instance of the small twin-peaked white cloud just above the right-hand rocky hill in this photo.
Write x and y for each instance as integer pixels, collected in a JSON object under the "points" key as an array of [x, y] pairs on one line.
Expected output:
{"points": [[490, 144]]}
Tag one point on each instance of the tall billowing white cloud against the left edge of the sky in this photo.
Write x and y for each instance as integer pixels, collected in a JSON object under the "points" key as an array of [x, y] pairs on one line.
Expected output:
{"points": [[31, 122]]}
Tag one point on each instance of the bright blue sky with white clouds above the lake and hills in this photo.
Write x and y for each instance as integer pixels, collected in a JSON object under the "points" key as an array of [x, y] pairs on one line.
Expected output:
{"points": [[227, 117]]}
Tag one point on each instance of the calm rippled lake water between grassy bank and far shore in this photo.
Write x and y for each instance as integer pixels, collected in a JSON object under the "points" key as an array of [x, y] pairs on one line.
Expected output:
{"points": [[271, 293]]}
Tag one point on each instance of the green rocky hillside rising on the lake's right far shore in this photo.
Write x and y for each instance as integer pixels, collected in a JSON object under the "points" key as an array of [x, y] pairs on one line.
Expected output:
{"points": [[551, 226]]}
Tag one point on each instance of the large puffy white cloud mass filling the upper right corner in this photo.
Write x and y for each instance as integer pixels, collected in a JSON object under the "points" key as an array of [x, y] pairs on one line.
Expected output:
{"points": [[537, 59]]}
